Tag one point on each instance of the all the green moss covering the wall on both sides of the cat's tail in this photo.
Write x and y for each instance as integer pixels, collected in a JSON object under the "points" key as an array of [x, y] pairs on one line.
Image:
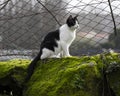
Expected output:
{"points": [[74, 76]]}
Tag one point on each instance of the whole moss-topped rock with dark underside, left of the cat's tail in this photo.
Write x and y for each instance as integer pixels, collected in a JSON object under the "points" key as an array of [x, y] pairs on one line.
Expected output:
{"points": [[12, 74]]}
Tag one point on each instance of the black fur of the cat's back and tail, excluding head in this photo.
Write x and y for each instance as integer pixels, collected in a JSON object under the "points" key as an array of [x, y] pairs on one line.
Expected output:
{"points": [[49, 43]]}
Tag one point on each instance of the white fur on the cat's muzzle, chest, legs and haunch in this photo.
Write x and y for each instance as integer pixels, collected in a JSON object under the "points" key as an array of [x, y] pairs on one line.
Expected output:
{"points": [[67, 35]]}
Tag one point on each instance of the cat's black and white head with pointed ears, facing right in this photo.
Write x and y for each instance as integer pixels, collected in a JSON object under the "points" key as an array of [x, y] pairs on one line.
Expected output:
{"points": [[72, 22]]}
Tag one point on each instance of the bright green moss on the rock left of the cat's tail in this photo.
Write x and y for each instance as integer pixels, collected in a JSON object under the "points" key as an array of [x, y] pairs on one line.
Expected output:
{"points": [[13, 67]]}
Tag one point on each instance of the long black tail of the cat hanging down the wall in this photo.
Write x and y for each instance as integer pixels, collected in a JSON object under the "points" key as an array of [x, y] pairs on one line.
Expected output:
{"points": [[32, 66]]}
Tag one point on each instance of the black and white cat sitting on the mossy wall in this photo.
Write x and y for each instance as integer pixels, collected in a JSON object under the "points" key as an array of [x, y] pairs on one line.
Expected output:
{"points": [[56, 43]]}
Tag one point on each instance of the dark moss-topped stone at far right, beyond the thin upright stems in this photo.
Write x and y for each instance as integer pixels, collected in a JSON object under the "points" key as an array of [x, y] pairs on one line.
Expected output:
{"points": [[113, 70]]}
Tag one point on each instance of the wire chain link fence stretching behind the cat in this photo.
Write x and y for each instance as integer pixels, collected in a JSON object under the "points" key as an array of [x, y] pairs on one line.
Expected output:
{"points": [[23, 24]]}
